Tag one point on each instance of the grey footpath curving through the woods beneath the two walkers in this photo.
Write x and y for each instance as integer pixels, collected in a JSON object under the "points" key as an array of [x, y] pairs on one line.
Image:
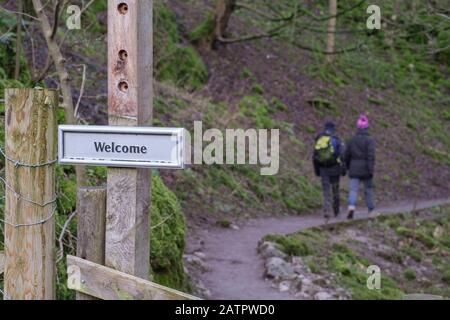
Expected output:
{"points": [[236, 270]]}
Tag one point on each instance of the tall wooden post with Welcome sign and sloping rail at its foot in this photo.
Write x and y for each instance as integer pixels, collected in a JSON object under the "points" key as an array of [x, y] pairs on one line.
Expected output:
{"points": [[129, 151]]}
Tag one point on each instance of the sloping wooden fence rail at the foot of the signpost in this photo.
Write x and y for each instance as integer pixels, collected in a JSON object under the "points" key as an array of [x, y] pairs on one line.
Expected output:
{"points": [[108, 284]]}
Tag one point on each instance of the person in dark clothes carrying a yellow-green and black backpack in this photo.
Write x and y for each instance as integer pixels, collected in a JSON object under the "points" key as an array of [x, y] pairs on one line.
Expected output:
{"points": [[328, 165]]}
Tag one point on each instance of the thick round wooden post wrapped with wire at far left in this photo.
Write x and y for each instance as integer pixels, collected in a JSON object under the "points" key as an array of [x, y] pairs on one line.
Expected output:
{"points": [[31, 147]]}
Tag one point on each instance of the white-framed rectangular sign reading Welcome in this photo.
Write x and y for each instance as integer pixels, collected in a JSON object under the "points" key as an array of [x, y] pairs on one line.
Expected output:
{"points": [[144, 147]]}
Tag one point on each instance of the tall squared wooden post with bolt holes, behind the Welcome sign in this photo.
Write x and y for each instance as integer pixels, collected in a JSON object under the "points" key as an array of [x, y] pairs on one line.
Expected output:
{"points": [[130, 101]]}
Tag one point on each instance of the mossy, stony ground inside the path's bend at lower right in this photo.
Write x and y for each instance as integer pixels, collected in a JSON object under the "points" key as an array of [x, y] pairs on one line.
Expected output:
{"points": [[411, 249]]}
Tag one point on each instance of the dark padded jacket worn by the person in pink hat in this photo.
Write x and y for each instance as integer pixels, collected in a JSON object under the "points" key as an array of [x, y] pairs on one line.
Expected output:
{"points": [[359, 155]]}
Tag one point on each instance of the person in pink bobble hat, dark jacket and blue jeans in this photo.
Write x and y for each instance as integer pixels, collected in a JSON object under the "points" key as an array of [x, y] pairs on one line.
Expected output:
{"points": [[359, 158]]}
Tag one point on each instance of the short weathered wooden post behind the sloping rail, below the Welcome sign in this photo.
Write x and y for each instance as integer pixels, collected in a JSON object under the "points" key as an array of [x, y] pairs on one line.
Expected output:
{"points": [[91, 219]]}
